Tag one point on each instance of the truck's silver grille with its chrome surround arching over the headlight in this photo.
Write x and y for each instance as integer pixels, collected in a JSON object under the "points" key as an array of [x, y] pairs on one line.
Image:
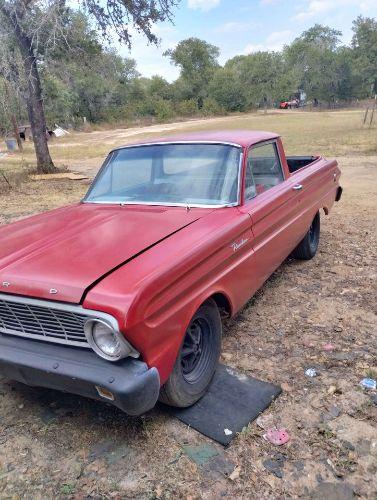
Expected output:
{"points": [[28, 317]]}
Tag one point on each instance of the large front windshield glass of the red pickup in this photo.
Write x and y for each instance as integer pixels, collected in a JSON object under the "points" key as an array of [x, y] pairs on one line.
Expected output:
{"points": [[190, 174]]}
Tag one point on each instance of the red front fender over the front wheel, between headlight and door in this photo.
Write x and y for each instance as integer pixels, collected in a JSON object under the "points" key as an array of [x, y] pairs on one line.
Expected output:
{"points": [[163, 287]]}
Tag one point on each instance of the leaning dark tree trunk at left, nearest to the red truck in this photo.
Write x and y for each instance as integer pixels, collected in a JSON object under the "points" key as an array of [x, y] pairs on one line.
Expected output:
{"points": [[36, 115]]}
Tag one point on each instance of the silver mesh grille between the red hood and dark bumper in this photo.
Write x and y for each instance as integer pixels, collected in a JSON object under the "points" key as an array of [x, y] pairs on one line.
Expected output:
{"points": [[41, 322]]}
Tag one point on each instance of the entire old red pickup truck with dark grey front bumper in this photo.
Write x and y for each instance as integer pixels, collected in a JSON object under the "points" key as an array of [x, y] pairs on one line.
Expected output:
{"points": [[118, 297]]}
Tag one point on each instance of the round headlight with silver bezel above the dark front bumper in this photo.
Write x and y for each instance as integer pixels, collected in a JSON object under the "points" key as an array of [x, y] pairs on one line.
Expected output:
{"points": [[107, 342]]}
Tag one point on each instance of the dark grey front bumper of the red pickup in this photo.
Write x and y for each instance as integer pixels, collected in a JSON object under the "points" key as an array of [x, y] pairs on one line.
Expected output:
{"points": [[134, 387]]}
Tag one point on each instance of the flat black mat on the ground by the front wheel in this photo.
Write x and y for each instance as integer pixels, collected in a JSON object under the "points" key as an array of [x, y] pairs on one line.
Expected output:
{"points": [[232, 401]]}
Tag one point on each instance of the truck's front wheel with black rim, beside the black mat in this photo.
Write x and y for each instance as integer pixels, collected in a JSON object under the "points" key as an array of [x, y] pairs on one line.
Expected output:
{"points": [[197, 359]]}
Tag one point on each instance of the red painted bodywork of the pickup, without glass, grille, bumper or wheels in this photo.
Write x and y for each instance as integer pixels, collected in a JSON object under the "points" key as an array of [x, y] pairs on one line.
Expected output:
{"points": [[106, 257]]}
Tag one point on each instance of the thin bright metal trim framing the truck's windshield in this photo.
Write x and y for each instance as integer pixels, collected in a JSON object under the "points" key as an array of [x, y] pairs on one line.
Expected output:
{"points": [[166, 204]]}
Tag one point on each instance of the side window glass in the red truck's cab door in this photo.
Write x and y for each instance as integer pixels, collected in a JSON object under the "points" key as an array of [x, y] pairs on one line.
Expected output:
{"points": [[263, 169]]}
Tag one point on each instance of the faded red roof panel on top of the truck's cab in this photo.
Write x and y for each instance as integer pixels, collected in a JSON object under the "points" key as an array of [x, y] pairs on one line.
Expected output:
{"points": [[244, 138]]}
